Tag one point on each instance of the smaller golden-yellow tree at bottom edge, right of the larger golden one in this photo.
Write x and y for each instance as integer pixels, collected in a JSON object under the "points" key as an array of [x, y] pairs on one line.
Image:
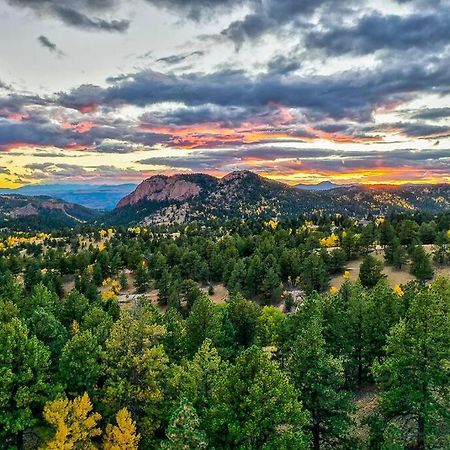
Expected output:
{"points": [[122, 436]]}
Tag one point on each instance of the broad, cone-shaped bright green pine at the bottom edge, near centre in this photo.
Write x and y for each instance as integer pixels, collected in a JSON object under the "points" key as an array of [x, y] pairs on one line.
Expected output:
{"points": [[255, 406]]}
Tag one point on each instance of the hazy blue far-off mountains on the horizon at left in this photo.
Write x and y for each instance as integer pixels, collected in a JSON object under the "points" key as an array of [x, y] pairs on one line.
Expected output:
{"points": [[103, 197]]}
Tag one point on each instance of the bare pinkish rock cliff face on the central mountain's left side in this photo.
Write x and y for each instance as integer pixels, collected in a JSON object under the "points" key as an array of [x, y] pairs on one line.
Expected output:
{"points": [[162, 188]]}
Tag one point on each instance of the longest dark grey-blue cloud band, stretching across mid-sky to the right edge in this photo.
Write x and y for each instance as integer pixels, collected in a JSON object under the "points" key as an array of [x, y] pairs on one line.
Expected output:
{"points": [[353, 94]]}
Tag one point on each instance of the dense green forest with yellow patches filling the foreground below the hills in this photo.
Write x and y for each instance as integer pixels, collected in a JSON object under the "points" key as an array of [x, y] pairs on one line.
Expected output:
{"points": [[114, 338]]}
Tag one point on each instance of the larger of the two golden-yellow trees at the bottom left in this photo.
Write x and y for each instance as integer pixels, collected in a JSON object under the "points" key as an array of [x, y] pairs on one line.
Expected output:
{"points": [[74, 421]]}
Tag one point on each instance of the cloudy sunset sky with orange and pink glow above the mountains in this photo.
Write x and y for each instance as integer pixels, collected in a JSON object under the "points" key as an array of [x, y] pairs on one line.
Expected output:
{"points": [[301, 91]]}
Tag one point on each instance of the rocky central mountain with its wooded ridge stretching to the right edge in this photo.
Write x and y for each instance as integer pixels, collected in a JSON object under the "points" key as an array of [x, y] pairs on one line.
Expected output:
{"points": [[183, 198]]}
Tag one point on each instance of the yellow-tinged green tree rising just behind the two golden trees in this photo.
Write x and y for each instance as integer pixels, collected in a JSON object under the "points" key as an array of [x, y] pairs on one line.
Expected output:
{"points": [[136, 372]]}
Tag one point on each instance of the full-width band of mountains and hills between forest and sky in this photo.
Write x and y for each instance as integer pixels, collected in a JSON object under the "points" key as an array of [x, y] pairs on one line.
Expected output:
{"points": [[187, 197]]}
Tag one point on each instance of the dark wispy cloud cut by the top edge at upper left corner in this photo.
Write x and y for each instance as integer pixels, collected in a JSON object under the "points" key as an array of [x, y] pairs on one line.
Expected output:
{"points": [[77, 13]]}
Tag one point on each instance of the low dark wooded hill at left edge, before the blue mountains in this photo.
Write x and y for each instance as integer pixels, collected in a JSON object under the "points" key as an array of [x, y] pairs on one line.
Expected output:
{"points": [[41, 212]]}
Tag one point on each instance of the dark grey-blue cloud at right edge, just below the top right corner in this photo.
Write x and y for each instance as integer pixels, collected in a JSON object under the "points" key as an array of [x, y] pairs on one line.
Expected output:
{"points": [[391, 32]]}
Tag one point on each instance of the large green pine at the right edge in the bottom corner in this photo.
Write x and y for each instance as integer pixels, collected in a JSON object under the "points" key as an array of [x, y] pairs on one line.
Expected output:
{"points": [[415, 376]]}
